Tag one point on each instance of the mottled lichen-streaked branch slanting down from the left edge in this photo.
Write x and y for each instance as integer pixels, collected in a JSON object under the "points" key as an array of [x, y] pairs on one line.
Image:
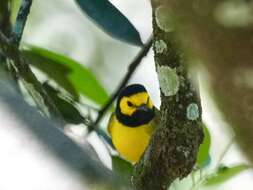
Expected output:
{"points": [[33, 86]]}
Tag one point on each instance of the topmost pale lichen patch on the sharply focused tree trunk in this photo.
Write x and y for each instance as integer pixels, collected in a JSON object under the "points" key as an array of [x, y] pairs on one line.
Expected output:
{"points": [[163, 19]]}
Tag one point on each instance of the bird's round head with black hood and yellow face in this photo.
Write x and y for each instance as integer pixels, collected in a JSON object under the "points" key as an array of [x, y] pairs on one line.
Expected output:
{"points": [[134, 106]]}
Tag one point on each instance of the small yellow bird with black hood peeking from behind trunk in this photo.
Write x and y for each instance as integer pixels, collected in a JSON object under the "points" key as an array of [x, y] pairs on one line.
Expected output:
{"points": [[133, 122]]}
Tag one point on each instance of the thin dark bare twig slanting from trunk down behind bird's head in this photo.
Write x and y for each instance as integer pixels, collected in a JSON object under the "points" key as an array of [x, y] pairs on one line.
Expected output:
{"points": [[125, 80]]}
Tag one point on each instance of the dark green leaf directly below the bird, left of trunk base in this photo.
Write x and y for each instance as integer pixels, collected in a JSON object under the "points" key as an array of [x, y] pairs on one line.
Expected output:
{"points": [[122, 168]]}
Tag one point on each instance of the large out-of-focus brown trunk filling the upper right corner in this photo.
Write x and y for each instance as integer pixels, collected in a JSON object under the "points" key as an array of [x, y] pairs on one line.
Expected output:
{"points": [[219, 33]]}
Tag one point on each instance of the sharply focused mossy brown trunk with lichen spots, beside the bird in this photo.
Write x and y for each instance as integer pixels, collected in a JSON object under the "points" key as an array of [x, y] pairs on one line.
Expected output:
{"points": [[174, 146]]}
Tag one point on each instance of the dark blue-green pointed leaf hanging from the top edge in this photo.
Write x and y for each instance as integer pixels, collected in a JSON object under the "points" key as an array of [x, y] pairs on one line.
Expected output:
{"points": [[111, 20]]}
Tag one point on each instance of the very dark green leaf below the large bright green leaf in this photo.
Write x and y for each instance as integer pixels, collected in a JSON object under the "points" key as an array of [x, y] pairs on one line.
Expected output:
{"points": [[68, 111]]}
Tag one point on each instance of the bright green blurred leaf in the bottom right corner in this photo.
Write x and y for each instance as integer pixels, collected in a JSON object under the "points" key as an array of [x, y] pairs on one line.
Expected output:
{"points": [[224, 174]]}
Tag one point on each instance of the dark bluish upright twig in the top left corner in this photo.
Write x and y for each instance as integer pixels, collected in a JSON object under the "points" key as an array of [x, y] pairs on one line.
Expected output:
{"points": [[19, 25]]}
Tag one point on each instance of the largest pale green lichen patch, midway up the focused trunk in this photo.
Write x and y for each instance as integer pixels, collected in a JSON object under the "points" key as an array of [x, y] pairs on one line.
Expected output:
{"points": [[168, 79]]}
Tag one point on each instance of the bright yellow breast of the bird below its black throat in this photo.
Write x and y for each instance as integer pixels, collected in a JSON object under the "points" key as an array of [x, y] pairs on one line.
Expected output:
{"points": [[130, 142]]}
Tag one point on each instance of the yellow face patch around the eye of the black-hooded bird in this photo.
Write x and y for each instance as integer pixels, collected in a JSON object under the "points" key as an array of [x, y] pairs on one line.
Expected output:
{"points": [[137, 99]]}
